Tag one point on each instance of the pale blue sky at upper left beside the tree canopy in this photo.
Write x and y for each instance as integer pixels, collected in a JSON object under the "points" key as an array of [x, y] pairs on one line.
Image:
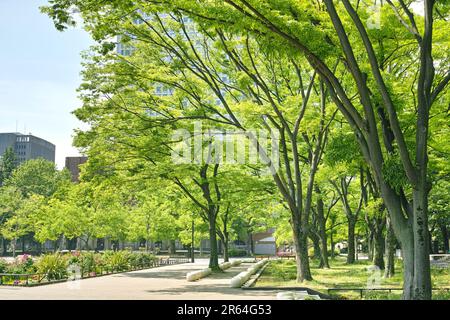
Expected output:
{"points": [[39, 75]]}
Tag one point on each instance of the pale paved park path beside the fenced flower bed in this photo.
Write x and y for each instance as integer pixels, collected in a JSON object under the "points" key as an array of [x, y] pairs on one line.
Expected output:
{"points": [[163, 283]]}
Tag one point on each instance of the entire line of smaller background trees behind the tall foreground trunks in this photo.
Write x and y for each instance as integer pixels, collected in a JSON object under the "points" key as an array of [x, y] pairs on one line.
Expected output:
{"points": [[40, 202]]}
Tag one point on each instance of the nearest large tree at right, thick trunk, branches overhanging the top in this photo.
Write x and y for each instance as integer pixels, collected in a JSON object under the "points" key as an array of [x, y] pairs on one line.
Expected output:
{"points": [[375, 67]]}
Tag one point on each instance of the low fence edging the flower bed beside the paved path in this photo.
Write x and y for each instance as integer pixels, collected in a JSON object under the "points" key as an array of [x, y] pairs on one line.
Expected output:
{"points": [[34, 279]]}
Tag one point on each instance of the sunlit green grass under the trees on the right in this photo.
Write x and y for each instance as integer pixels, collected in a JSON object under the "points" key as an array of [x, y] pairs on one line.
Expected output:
{"points": [[282, 273]]}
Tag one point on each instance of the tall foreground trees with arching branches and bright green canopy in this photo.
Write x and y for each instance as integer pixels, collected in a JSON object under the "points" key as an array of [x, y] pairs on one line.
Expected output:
{"points": [[353, 104]]}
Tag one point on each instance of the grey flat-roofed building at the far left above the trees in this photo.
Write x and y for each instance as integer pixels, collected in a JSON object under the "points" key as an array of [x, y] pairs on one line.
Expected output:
{"points": [[27, 146]]}
